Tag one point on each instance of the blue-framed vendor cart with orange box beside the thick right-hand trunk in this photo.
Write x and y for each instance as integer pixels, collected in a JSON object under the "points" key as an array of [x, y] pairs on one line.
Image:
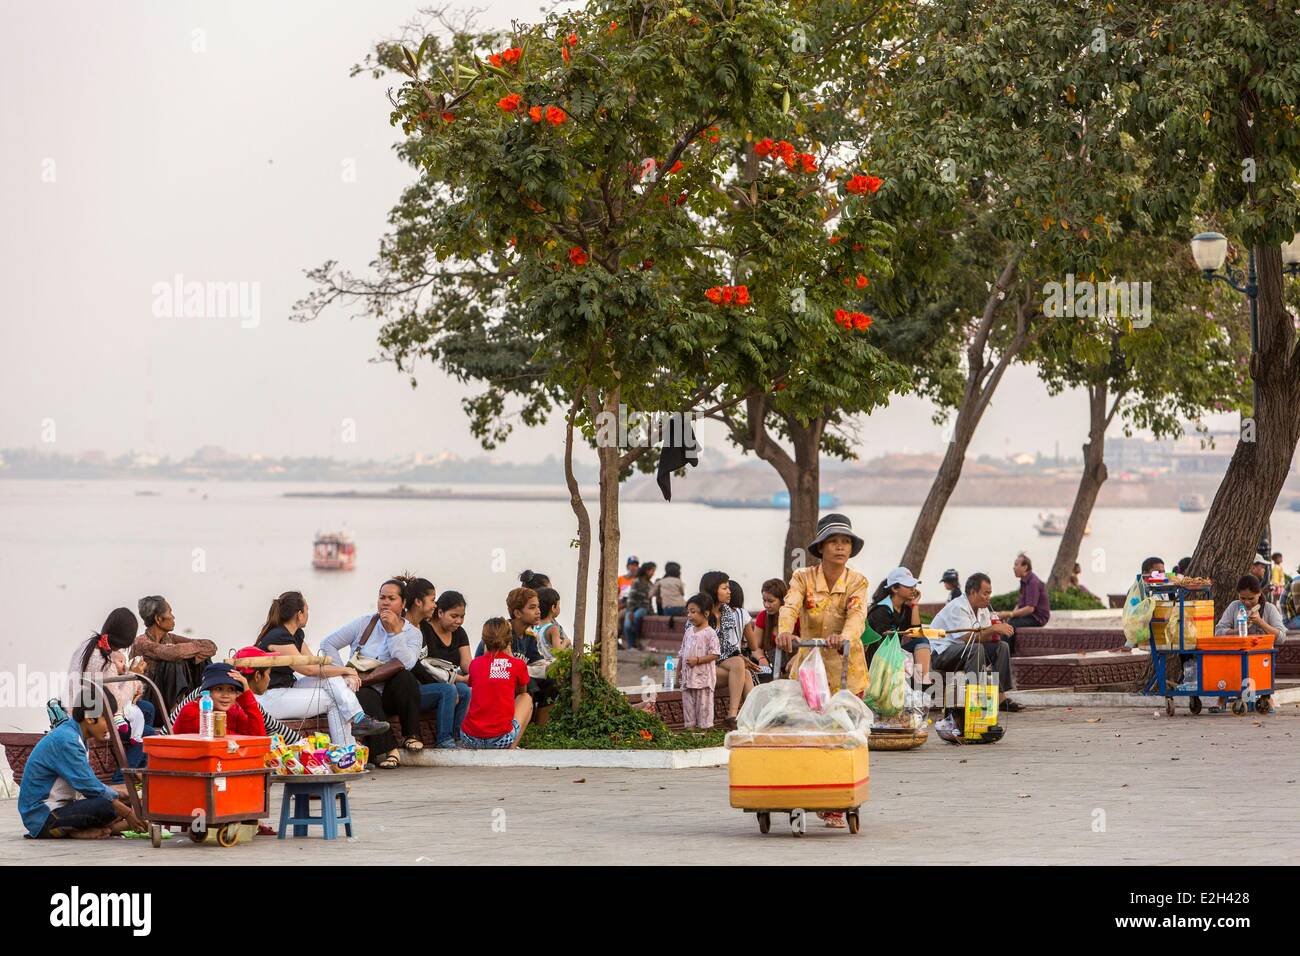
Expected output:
{"points": [[1232, 669]]}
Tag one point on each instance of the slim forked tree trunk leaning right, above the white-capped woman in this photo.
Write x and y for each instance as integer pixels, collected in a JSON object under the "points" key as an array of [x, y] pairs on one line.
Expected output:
{"points": [[982, 379]]}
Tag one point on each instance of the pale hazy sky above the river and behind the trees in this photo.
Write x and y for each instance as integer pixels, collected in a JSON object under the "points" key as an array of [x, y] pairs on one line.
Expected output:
{"points": [[226, 142]]}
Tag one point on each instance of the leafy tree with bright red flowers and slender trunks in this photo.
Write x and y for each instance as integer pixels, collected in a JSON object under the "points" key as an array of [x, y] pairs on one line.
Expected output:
{"points": [[584, 239]]}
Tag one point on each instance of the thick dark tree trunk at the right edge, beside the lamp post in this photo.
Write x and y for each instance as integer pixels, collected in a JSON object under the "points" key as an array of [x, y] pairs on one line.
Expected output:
{"points": [[1263, 460]]}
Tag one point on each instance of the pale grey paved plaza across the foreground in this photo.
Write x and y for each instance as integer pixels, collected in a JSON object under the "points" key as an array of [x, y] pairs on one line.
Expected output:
{"points": [[1084, 786]]}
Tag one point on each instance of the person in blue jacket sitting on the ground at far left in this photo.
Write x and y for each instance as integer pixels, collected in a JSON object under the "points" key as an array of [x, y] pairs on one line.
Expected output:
{"points": [[59, 769]]}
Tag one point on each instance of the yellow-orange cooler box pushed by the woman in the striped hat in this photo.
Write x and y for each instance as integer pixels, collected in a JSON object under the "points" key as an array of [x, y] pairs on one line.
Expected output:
{"points": [[785, 778]]}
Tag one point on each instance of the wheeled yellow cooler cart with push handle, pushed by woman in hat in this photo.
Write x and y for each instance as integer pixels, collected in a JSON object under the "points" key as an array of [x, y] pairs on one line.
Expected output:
{"points": [[800, 773]]}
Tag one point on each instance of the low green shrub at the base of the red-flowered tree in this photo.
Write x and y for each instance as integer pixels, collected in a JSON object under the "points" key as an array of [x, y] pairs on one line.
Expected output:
{"points": [[605, 721]]}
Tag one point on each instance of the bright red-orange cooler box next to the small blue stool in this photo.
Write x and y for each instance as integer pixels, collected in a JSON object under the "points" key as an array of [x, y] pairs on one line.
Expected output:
{"points": [[188, 773]]}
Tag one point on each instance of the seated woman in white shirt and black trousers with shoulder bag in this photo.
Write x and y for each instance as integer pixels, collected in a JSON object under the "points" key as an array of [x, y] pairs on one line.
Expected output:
{"points": [[384, 648]]}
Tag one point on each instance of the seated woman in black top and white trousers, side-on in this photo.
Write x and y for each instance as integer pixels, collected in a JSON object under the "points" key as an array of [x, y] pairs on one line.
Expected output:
{"points": [[311, 690]]}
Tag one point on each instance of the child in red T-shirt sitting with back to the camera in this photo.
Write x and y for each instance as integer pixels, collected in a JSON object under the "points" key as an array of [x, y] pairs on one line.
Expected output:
{"points": [[500, 710]]}
